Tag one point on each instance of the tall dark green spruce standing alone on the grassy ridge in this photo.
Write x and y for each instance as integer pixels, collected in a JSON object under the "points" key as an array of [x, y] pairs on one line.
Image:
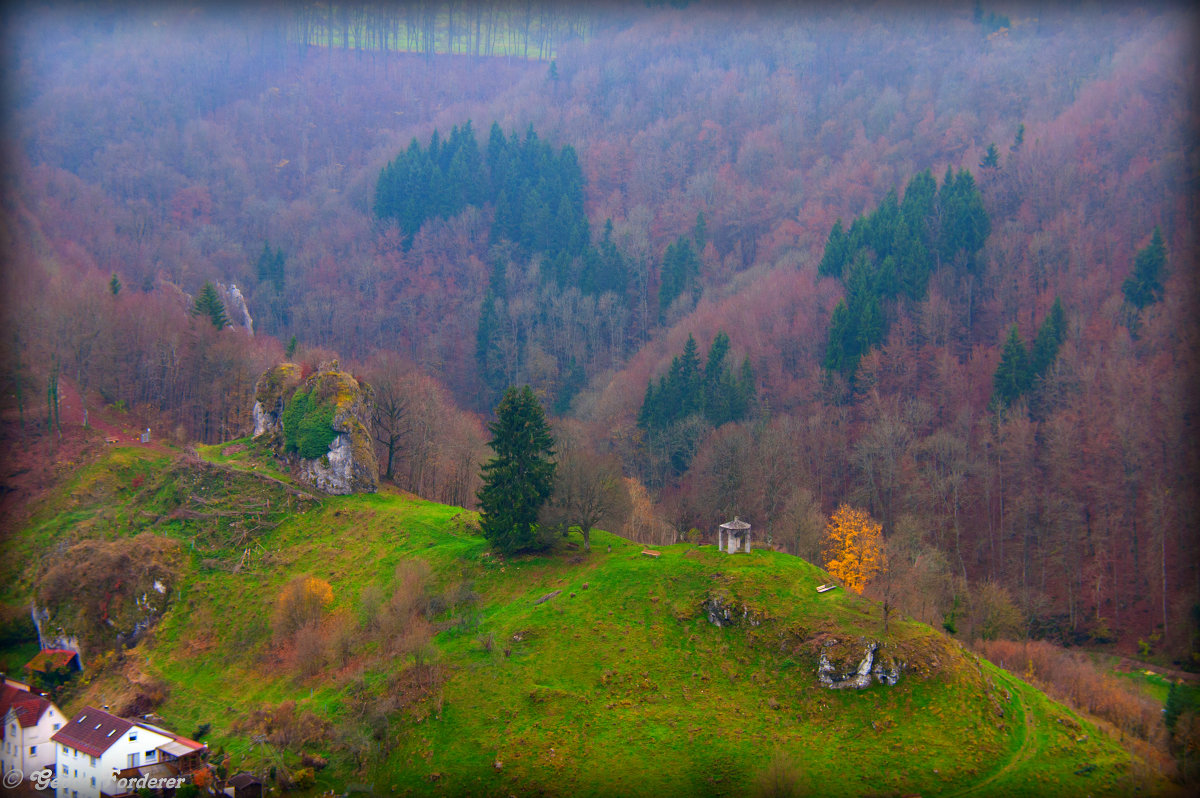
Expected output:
{"points": [[519, 481]]}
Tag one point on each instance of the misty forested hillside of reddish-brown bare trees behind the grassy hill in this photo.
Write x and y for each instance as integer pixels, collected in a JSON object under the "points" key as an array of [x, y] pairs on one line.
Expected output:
{"points": [[944, 257]]}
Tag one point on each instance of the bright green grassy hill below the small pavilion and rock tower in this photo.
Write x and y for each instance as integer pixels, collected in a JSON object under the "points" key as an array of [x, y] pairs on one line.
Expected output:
{"points": [[437, 670]]}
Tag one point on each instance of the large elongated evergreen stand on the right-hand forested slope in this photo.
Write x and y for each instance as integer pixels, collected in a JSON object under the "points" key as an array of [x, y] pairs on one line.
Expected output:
{"points": [[893, 251]]}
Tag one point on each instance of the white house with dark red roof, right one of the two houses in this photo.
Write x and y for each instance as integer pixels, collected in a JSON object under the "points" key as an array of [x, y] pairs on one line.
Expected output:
{"points": [[99, 754]]}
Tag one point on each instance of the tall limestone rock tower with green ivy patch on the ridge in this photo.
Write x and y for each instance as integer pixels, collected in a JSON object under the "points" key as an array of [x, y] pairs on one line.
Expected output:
{"points": [[332, 406]]}
